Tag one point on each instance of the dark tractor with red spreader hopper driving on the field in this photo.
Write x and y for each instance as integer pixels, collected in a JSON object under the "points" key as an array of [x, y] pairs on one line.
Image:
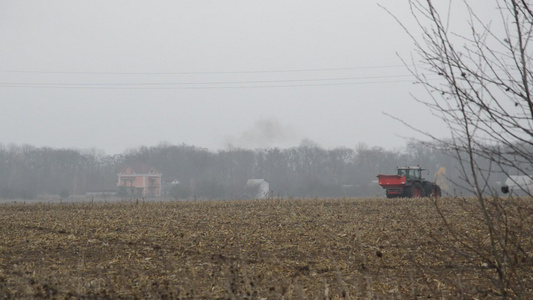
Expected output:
{"points": [[408, 183]]}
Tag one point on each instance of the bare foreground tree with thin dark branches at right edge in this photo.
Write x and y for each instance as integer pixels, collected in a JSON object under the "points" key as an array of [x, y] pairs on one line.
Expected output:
{"points": [[479, 81]]}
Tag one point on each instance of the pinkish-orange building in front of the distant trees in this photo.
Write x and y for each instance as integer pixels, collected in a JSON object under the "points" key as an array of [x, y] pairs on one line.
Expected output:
{"points": [[140, 180]]}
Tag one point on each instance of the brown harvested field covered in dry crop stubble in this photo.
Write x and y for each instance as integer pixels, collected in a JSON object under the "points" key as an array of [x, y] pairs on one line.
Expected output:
{"points": [[273, 249]]}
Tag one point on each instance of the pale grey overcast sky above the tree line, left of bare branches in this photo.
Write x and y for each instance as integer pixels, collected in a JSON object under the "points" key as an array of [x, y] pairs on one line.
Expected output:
{"points": [[119, 74]]}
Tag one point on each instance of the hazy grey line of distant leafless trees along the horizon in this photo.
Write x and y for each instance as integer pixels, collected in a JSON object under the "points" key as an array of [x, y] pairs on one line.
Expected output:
{"points": [[304, 171]]}
